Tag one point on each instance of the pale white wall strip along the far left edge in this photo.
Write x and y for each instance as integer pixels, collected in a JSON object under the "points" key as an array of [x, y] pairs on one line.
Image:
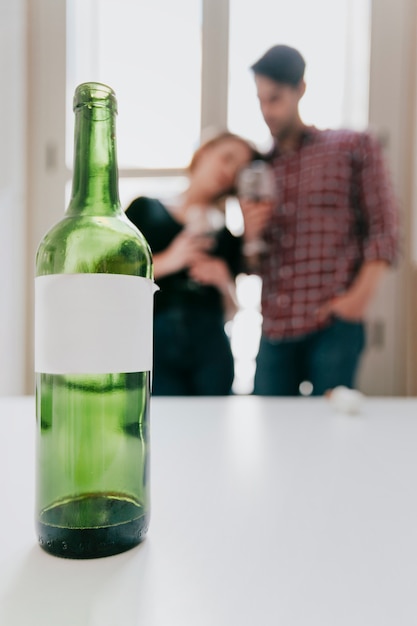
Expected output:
{"points": [[12, 196]]}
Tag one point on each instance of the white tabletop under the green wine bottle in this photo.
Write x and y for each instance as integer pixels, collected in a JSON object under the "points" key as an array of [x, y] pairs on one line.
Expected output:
{"points": [[265, 512]]}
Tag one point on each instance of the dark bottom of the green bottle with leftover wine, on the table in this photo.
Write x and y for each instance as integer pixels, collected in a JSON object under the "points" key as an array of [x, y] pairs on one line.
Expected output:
{"points": [[123, 525]]}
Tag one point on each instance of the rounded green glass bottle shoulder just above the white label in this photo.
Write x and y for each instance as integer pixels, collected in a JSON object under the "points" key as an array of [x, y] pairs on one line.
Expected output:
{"points": [[92, 244]]}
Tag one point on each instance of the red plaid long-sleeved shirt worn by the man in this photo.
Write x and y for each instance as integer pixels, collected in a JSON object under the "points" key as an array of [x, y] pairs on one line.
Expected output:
{"points": [[335, 210]]}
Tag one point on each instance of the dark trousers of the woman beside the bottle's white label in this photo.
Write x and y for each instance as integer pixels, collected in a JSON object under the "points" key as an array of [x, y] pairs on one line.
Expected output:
{"points": [[192, 354]]}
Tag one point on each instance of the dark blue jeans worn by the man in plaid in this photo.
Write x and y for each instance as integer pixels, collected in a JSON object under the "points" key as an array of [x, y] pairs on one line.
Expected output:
{"points": [[326, 358]]}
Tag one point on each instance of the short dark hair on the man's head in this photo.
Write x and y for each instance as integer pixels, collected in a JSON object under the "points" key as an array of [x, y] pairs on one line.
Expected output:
{"points": [[282, 64]]}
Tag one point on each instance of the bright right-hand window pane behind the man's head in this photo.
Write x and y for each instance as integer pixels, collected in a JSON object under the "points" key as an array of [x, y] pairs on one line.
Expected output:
{"points": [[334, 38]]}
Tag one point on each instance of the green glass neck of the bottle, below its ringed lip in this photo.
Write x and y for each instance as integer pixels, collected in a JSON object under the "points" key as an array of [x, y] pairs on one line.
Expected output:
{"points": [[95, 178]]}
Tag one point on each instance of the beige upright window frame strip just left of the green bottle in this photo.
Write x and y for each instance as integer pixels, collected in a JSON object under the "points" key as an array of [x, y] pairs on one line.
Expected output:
{"points": [[47, 174]]}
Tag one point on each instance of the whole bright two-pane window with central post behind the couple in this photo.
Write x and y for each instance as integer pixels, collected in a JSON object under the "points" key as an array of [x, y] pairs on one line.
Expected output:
{"points": [[179, 66]]}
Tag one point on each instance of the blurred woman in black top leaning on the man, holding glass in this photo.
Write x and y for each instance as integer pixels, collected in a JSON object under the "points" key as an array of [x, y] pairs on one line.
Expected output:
{"points": [[196, 260]]}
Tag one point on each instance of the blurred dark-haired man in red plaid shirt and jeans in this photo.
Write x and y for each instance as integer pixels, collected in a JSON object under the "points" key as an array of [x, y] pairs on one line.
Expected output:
{"points": [[325, 241]]}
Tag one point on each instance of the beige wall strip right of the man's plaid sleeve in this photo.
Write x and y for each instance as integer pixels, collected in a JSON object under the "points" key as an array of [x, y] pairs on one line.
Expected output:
{"points": [[393, 115]]}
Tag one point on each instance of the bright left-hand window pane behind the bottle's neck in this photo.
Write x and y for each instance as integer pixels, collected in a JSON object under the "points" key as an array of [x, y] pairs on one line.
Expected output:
{"points": [[150, 54]]}
